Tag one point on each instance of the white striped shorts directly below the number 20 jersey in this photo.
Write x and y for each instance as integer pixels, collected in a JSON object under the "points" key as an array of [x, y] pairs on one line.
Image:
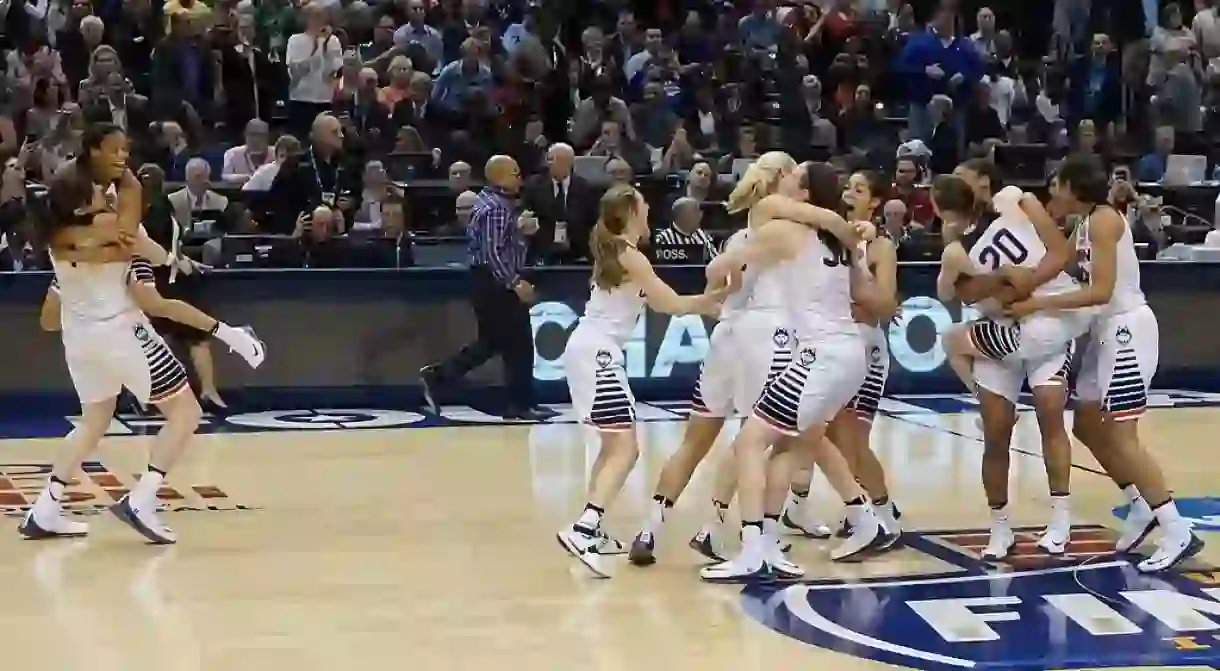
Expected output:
{"points": [[1035, 339]]}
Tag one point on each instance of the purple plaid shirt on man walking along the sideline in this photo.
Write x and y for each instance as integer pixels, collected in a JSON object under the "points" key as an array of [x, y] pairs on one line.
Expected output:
{"points": [[493, 240]]}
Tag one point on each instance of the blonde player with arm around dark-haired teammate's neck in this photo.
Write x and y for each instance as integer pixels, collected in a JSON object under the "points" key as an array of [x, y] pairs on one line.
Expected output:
{"points": [[736, 368]]}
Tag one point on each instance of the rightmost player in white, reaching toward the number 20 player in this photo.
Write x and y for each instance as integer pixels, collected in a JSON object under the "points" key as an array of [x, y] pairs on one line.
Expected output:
{"points": [[1119, 361]]}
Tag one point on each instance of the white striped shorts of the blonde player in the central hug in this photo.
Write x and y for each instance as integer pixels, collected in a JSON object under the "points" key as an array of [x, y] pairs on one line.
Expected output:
{"points": [[744, 356]]}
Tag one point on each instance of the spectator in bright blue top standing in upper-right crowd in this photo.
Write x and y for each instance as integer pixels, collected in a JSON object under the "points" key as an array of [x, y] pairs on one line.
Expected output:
{"points": [[938, 62]]}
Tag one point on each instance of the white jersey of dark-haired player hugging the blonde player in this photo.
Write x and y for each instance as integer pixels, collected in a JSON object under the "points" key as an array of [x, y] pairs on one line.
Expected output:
{"points": [[818, 286]]}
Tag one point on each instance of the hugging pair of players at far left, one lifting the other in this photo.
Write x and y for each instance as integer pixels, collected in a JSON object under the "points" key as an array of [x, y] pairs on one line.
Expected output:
{"points": [[108, 341]]}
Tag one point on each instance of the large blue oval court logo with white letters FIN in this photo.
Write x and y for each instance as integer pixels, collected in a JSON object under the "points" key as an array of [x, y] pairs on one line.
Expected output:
{"points": [[1090, 611]]}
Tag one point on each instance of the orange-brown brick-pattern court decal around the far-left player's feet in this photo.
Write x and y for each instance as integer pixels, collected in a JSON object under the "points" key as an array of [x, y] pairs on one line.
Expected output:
{"points": [[97, 489]]}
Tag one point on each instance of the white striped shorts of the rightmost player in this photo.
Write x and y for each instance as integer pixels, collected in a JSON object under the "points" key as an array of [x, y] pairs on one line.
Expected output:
{"points": [[1119, 361]]}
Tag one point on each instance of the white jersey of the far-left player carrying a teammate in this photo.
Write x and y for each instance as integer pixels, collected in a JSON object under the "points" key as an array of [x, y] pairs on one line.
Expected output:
{"points": [[93, 293]]}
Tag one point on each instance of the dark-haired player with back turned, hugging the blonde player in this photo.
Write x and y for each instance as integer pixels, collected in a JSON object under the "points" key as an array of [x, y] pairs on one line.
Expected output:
{"points": [[828, 369]]}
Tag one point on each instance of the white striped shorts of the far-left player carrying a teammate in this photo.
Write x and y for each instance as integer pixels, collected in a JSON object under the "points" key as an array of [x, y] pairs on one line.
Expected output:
{"points": [[104, 359]]}
